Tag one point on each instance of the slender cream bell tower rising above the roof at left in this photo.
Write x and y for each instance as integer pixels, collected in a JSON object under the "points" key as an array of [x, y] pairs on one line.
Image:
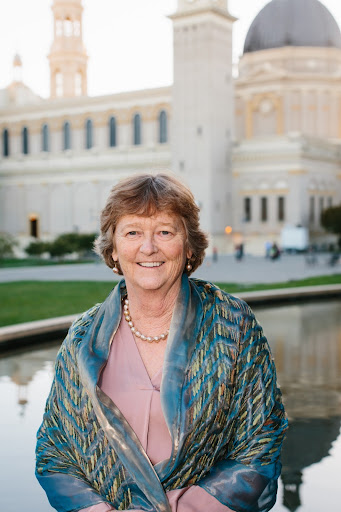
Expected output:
{"points": [[68, 58]]}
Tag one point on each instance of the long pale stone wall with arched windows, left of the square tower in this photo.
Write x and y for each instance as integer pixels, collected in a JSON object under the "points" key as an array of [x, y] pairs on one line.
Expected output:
{"points": [[62, 189]]}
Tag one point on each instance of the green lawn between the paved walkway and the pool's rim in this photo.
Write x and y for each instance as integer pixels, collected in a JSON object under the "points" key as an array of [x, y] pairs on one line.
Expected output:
{"points": [[25, 301]]}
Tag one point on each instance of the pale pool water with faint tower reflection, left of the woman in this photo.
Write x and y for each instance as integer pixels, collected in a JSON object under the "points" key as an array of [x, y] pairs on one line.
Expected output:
{"points": [[25, 379]]}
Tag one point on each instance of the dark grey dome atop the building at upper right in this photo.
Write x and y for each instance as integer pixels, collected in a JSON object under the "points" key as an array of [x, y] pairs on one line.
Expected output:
{"points": [[293, 23]]}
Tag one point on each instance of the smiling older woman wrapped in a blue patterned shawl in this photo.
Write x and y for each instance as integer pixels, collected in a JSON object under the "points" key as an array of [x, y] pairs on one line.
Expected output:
{"points": [[164, 397]]}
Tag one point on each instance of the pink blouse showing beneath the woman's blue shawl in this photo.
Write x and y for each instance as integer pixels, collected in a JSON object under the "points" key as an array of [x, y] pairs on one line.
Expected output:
{"points": [[126, 381]]}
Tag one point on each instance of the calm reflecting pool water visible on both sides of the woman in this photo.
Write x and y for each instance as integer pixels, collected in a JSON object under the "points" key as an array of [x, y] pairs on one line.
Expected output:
{"points": [[306, 344]]}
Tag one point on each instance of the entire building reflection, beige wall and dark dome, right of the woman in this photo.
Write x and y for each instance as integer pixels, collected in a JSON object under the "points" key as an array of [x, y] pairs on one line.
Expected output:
{"points": [[306, 344]]}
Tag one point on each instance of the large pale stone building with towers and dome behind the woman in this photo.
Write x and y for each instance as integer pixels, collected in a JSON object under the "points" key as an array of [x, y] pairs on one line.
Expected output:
{"points": [[259, 151]]}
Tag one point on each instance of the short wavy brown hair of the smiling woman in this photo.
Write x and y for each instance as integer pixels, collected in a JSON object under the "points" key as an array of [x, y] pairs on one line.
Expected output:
{"points": [[147, 194]]}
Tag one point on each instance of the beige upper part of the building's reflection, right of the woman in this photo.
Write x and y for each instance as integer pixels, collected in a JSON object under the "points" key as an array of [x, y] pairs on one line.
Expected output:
{"points": [[306, 344]]}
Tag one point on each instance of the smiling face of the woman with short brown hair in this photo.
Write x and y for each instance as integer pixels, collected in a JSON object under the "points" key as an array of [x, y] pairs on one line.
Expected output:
{"points": [[151, 250]]}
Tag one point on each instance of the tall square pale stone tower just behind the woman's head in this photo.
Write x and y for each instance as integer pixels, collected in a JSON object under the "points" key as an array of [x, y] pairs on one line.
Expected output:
{"points": [[203, 106]]}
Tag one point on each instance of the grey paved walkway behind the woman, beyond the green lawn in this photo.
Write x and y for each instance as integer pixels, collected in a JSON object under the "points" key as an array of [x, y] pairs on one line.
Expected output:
{"points": [[252, 269]]}
